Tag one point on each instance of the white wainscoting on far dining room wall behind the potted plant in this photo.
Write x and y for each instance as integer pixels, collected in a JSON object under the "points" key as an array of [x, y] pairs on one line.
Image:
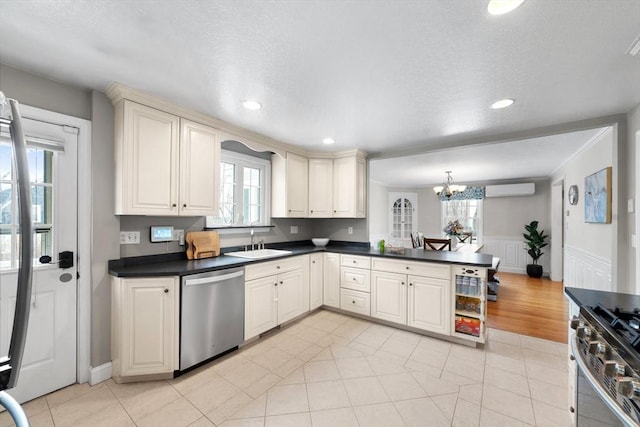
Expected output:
{"points": [[512, 253]]}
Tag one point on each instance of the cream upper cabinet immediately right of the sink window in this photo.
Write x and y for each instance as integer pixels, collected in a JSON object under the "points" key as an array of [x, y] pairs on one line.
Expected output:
{"points": [[289, 186]]}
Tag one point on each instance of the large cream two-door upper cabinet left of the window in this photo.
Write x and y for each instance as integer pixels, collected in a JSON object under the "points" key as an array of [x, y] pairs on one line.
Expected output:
{"points": [[164, 165]]}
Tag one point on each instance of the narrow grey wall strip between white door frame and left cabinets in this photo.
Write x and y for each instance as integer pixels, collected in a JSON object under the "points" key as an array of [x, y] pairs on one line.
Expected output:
{"points": [[105, 226]]}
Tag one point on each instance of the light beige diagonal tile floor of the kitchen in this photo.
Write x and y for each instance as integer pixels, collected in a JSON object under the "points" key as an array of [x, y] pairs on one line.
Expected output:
{"points": [[330, 369]]}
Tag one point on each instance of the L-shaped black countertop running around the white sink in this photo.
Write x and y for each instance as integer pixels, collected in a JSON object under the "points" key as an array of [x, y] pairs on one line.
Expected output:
{"points": [[176, 264]]}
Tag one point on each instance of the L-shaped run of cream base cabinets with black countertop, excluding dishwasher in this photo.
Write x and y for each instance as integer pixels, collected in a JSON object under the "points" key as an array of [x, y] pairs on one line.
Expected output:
{"points": [[438, 293]]}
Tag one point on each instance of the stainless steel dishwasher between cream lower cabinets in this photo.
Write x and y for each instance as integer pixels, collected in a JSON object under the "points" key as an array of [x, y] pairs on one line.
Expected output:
{"points": [[211, 315]]}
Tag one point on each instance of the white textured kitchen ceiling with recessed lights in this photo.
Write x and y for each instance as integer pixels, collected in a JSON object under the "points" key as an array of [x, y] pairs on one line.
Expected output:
{"points": [[382, 76]]}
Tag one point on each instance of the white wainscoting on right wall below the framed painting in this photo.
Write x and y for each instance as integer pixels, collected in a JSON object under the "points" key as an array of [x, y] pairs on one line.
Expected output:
{"points": [[586, 271]]}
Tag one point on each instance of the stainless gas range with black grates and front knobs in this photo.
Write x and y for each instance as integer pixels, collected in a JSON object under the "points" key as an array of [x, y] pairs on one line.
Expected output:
{"points": [[607, 349]]}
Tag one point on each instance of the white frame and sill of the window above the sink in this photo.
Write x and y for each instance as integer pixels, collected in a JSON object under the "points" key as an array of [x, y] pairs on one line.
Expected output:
{"points": [[243, 160]]}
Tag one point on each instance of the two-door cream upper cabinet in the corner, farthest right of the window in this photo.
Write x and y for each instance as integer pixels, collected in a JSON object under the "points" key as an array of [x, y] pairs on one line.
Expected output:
{"points": [[337, 187]]}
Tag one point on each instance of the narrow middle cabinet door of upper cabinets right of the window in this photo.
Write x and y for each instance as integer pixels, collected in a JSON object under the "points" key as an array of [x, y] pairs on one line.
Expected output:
{"points": [[321, 188]]}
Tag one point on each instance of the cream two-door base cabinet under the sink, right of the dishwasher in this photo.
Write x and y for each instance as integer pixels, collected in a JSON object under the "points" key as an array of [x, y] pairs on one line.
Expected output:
{"points": [[272, 299]]}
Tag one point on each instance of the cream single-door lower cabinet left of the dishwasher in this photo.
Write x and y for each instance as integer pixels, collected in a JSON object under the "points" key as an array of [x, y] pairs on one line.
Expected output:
{"points": [[144, 327]]}
